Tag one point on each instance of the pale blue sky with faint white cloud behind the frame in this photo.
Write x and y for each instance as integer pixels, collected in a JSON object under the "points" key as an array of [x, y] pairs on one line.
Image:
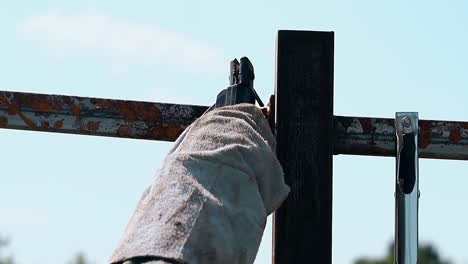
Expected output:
{"points": [[60, 194]]}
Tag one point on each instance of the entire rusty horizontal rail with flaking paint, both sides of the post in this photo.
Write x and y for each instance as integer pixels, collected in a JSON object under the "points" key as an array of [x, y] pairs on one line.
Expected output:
{"points": [[160, 121]]}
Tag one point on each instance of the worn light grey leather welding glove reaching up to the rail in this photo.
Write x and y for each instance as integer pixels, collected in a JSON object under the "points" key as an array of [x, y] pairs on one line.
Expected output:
{"points": [[210, 200]]}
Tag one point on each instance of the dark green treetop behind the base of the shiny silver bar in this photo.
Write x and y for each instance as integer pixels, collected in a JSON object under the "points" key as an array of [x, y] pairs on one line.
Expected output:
{"points": [[427, 254]]}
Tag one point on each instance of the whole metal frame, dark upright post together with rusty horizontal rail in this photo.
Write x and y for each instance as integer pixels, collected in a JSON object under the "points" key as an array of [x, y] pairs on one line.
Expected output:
{"points": [[307, 133]]}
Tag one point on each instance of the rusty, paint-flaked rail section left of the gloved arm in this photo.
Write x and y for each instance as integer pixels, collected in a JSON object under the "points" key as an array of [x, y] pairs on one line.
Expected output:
{"points": [[95, 116]]}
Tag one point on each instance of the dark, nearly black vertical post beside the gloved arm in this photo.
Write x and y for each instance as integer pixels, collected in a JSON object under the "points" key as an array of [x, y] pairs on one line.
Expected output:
{"points": [[304, 132]]}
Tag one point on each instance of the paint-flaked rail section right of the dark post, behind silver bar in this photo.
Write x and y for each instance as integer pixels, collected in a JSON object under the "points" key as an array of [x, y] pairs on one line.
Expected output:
{"points": [[376, 137]]}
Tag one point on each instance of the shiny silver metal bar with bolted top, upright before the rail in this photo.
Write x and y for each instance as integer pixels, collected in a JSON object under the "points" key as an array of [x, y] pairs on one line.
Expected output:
{"points": [[407, 188]]}
